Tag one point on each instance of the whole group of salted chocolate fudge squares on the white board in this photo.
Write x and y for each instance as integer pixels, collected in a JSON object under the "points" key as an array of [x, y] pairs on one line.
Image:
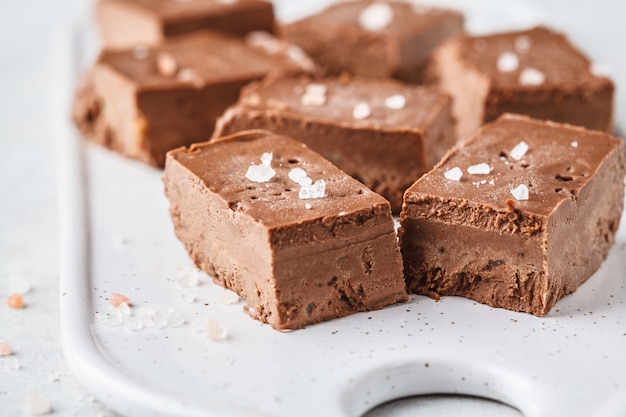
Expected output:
{"points": [[288, 149]]}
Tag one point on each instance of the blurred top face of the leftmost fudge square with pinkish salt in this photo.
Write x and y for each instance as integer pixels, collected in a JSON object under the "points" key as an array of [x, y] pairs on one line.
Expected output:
{"points": [[198, 59]]}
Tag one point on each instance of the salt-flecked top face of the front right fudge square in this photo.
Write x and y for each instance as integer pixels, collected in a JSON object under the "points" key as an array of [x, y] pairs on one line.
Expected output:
{"points": [[554, 164]]}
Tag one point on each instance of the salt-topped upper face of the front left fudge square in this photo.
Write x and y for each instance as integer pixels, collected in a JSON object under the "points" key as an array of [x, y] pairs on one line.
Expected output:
{"points": [[276, 199]]}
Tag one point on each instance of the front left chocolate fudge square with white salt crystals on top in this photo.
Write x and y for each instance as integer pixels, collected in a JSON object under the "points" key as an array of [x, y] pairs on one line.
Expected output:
{"points": [[298, 239]]}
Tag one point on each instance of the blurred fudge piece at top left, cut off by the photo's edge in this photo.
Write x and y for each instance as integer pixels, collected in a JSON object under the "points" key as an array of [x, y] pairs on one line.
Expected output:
{"points": [[125, 23]]}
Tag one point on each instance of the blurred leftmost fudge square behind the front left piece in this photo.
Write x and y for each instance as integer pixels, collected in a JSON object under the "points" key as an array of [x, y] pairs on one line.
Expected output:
{"points": [[142, 102]]}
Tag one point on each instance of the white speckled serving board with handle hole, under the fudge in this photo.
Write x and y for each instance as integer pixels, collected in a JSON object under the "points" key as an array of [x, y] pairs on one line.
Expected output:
{"points": [[117, 237]]}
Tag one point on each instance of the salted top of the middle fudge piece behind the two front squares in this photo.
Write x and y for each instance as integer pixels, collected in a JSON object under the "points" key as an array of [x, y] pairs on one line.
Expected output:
{"points": [[379, 104]]}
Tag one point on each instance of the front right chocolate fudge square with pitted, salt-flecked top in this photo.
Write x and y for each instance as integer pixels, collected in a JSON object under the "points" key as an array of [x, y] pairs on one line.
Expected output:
{"points": [[517, 217]]}
